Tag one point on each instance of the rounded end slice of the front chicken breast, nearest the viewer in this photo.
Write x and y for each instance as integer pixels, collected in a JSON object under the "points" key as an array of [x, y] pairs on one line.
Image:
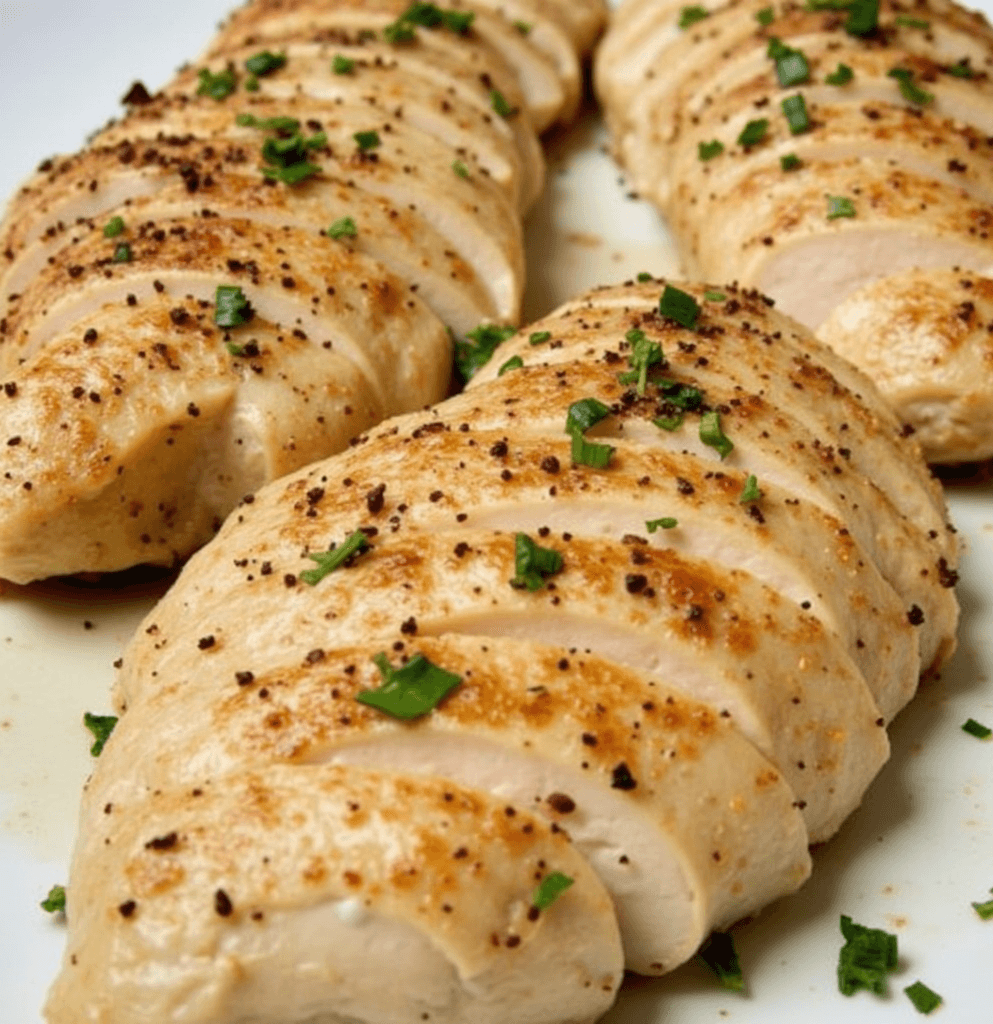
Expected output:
{"points": [[286, 893]]}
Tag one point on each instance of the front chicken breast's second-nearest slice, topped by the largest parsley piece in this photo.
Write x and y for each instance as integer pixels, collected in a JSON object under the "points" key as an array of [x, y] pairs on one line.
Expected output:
{"points": [[668, 802]]}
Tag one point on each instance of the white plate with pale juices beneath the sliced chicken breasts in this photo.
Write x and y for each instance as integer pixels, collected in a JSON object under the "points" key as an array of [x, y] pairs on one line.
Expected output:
{"points": [[913, 859]]}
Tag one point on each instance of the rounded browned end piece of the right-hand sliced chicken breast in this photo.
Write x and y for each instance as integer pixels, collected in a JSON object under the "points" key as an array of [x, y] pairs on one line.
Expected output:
{"points": [[939, 320]]}
